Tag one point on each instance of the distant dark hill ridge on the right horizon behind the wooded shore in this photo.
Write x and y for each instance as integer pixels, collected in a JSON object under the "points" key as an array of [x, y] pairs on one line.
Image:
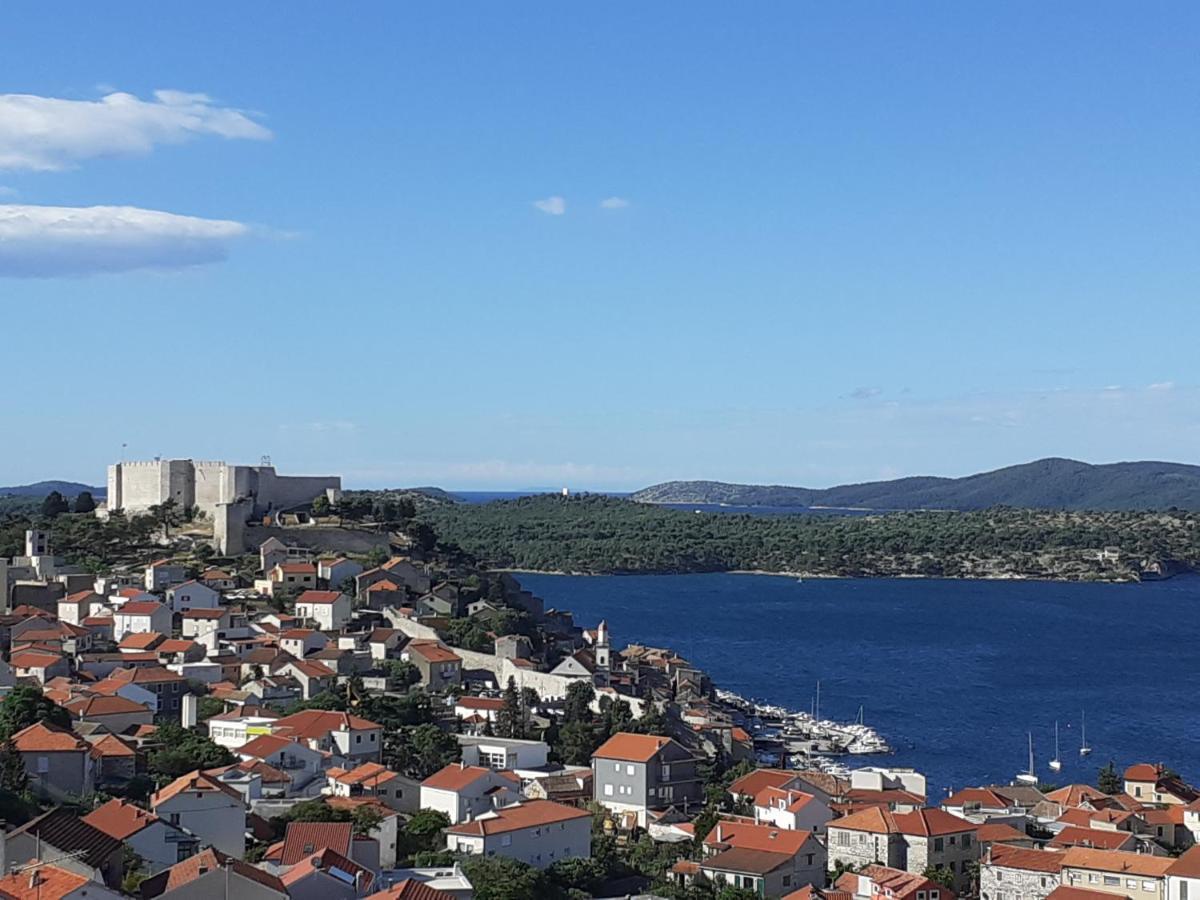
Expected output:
{"points": [[1046, 484]]}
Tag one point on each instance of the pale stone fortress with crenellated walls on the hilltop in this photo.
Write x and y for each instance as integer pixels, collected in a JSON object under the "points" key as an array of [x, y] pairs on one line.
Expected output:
{"points": [[230, 495]]}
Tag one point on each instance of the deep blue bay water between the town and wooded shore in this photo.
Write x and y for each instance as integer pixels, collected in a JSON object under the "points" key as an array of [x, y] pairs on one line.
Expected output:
{"points": [[953, 674]]}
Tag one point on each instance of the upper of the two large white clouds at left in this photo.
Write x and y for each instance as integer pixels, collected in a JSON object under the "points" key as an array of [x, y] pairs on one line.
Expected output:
{"points": [[49, 134]]}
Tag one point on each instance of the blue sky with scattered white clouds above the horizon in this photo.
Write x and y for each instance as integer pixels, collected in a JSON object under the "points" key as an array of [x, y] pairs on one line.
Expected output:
{"points": [[842, 242]]}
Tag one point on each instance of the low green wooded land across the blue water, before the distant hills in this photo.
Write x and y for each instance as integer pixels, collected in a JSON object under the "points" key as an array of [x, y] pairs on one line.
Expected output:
{"points": [[604, 535]]}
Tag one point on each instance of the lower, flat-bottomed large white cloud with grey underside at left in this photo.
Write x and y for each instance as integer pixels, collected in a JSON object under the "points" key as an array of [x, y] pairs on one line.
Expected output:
{"points": [[46, 242]]}
